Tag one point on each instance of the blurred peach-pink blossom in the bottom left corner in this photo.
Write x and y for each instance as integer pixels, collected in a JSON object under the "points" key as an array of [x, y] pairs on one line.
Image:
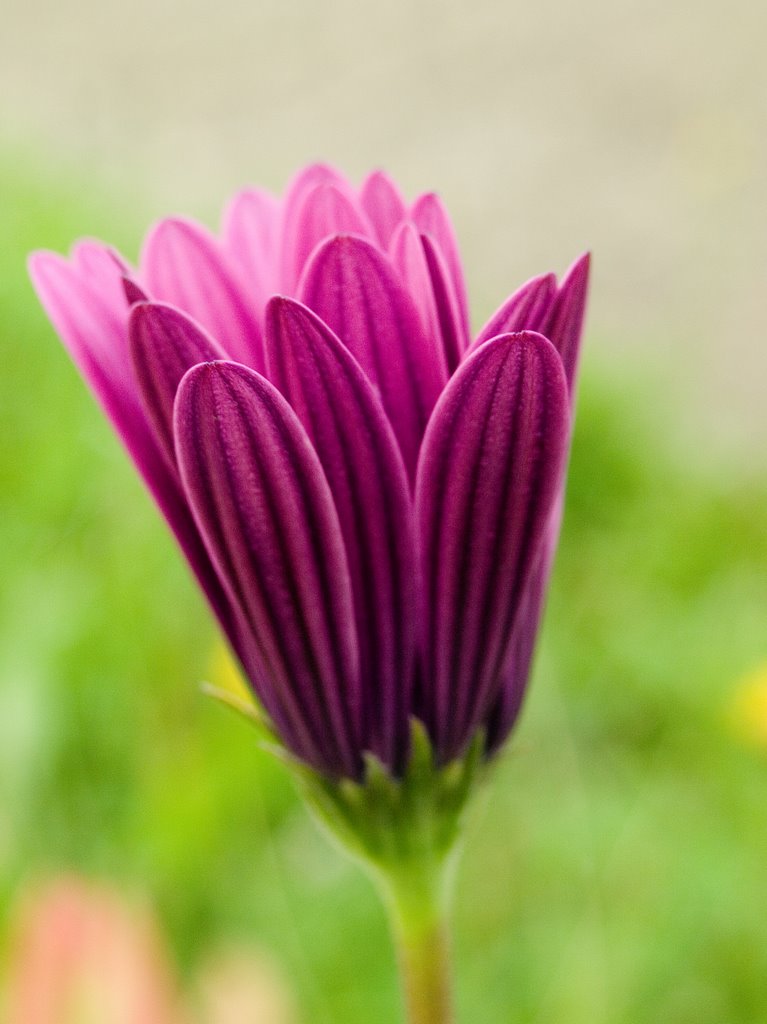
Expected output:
{"points": [[82, 954]]}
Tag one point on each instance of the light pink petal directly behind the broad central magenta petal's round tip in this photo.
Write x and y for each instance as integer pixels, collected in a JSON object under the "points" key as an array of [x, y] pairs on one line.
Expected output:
{"points": [[325, 211]]}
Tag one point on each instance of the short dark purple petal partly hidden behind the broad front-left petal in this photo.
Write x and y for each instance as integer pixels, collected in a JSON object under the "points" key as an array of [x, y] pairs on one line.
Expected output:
{"points": [[164, 345]]}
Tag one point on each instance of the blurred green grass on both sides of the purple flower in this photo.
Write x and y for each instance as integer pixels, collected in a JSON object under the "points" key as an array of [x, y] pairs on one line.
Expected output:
{"points": [[617, 869]]}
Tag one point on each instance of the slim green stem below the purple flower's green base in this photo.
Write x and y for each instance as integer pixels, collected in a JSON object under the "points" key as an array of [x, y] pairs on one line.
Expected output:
{"points": [[418, 907]]}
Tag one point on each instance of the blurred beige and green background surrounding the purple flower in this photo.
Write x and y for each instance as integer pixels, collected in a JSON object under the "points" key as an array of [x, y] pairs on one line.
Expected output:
{"points": [[617, 871]]}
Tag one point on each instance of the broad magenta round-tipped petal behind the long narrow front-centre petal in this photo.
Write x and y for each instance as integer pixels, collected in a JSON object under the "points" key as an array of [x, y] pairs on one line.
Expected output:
{"points": [[355, 289]]}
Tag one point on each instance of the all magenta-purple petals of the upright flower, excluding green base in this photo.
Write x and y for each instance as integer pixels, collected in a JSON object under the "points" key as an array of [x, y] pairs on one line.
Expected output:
{"points": [[369, 498]]}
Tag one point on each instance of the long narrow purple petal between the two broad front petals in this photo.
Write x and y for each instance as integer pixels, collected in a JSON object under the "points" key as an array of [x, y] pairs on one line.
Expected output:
{"points": [[351, 433]]}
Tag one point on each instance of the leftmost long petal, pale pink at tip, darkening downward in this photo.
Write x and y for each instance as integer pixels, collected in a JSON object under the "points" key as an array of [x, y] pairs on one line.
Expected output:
{"points": [[97, 340]]}
